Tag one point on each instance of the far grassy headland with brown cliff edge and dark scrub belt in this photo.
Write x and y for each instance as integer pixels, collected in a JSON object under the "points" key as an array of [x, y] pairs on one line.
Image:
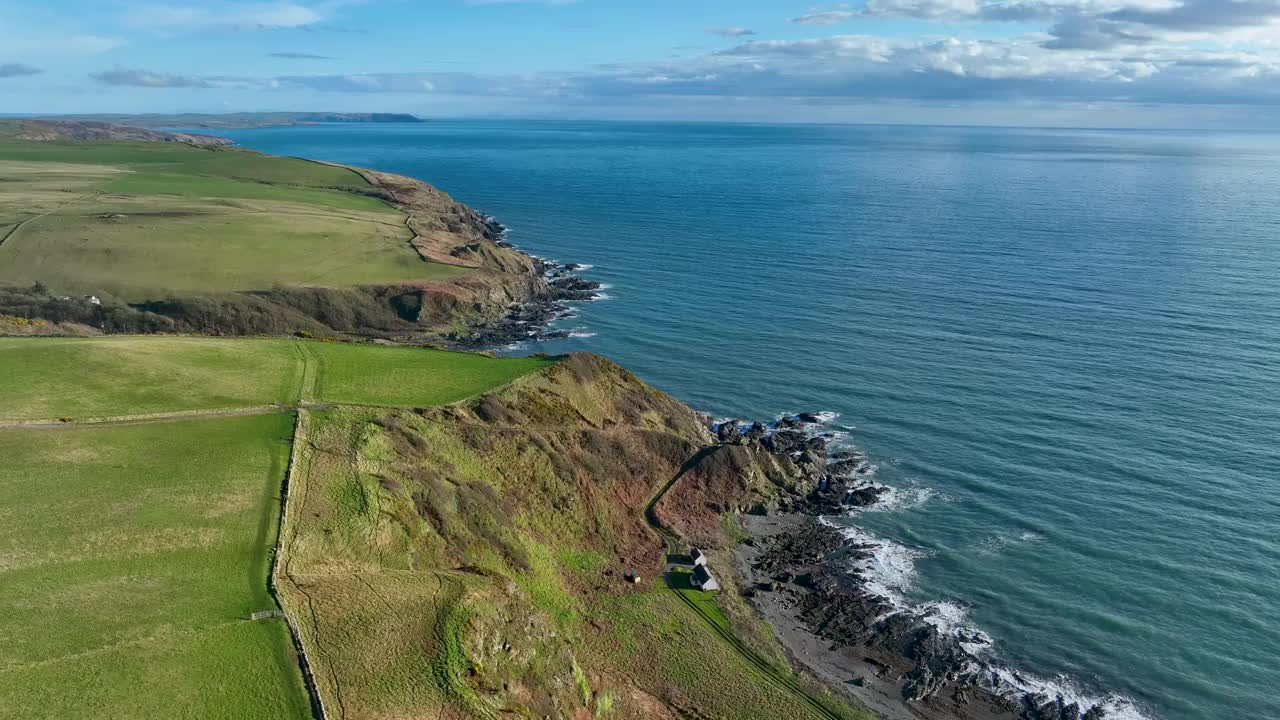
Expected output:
{"points": [[185, 234]]}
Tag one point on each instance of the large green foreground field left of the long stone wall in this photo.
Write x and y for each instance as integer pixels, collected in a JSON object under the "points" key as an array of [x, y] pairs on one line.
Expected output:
{"points": [[130, 559]]}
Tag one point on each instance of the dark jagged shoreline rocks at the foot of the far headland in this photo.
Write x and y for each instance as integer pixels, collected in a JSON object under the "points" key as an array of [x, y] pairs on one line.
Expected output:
{"points": [[531, 321]]}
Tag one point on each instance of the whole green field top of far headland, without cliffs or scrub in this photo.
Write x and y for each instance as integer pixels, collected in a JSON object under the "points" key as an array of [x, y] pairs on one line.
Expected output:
{"points": [[194, 221]]}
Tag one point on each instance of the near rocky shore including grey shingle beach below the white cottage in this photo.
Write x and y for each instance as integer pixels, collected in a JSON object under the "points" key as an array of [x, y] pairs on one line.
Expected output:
{"points": [[815, 585]]}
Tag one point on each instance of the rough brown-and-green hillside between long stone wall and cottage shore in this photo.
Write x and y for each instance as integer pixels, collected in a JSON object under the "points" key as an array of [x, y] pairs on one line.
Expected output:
{"points": [[496, 543]]}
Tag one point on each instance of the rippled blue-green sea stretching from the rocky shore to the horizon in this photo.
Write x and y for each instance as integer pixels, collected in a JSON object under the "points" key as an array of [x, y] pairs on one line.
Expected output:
{"points": [[1062, 348]]}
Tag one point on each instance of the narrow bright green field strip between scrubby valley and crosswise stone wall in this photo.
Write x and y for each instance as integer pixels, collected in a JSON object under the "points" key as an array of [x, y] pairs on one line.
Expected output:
{"points": [[125, 376]]}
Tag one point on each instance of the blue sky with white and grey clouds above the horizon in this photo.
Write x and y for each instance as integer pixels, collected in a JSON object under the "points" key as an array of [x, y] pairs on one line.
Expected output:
{"points": [[1064, 63]]}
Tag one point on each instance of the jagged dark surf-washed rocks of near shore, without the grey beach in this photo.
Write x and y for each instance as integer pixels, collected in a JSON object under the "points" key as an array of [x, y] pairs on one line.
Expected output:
{"points": [[828, 582]]}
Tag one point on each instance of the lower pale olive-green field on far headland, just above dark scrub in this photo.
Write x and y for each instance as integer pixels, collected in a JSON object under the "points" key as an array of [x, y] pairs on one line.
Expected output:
{"points": [[195, 249]]}
